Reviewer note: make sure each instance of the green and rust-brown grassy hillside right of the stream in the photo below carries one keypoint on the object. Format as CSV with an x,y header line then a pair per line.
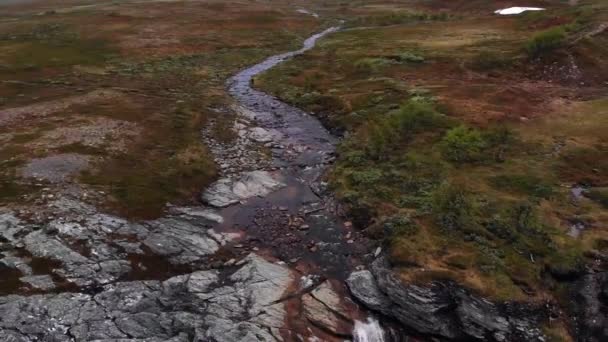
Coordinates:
x,y
467,136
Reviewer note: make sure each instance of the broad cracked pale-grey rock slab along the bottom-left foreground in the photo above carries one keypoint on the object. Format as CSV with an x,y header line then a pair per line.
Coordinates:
x,y
202,306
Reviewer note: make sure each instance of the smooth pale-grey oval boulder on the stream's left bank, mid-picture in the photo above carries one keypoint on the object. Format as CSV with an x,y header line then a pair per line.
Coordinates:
x,y
230,191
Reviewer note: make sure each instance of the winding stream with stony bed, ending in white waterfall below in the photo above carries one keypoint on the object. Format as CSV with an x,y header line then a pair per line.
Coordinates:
x,y
327,248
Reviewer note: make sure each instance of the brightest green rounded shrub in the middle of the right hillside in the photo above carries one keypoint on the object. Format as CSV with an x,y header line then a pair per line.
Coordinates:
x,y
462,144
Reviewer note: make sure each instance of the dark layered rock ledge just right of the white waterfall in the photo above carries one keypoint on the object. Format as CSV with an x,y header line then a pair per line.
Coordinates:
x,y
440,309
